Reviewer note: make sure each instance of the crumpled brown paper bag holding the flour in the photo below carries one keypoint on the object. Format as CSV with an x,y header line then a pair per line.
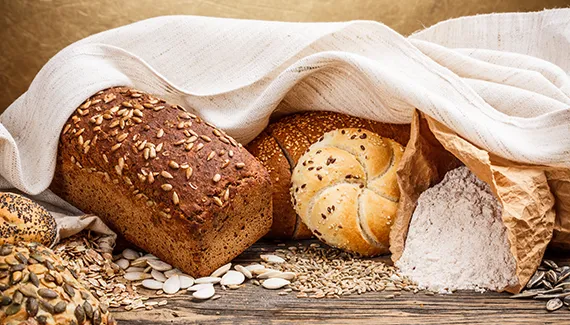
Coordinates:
x,y
530,195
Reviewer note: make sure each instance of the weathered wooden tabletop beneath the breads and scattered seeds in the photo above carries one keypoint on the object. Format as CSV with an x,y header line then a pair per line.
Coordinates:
x,y
255,305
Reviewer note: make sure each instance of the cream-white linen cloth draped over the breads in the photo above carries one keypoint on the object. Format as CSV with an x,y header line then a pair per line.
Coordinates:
x,y
500,80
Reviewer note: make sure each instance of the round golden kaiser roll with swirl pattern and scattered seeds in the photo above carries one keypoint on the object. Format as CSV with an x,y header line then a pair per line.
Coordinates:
x,y
345,190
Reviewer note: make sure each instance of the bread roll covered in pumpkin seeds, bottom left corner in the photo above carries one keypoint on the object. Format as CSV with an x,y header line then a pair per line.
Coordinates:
x,y
41,290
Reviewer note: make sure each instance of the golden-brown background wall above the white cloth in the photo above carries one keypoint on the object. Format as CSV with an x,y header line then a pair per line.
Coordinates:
x,y
32,31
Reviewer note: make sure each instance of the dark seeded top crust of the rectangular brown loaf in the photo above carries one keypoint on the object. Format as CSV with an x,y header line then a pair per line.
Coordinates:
x,y
172,159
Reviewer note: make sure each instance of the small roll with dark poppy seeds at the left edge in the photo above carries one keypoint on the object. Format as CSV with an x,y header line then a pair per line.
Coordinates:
x,y
21,219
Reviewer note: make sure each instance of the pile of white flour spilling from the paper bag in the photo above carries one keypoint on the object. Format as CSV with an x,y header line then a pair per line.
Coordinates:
x,y
456,238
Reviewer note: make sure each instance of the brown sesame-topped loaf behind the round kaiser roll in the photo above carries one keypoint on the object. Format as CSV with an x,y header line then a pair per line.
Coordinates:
x,y
282,143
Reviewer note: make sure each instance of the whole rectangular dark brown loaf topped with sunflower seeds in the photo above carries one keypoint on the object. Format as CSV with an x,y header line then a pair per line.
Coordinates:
x,y
169,182
